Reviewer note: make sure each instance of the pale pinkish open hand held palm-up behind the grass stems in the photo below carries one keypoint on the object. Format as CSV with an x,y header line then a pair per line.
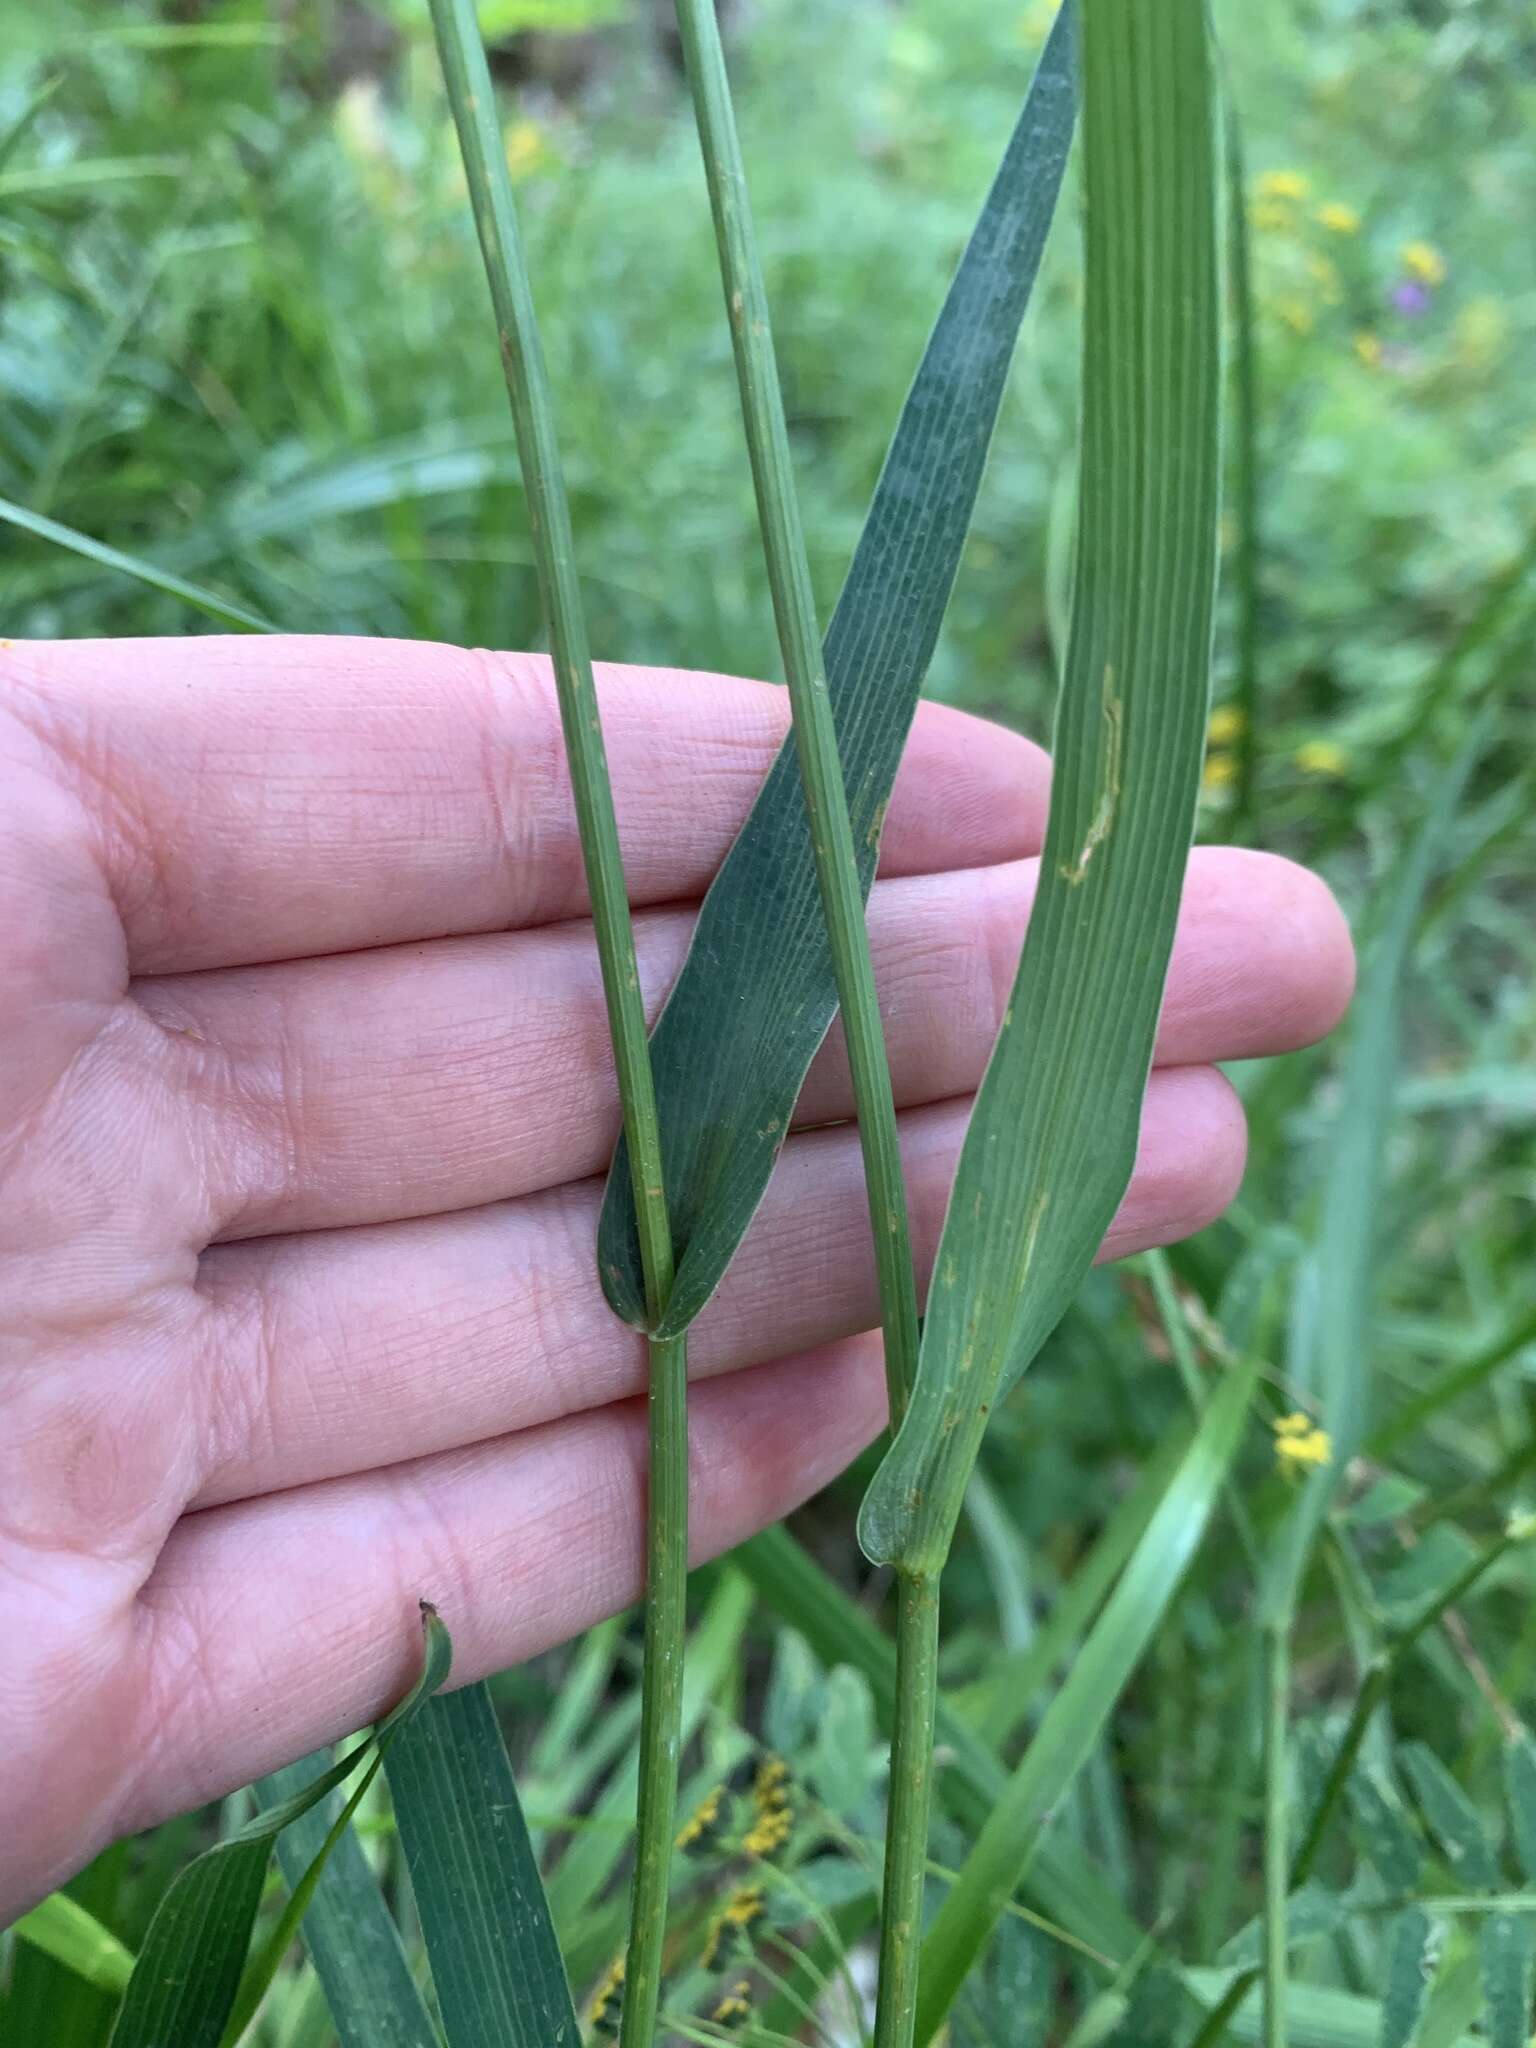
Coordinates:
x,y
304,1113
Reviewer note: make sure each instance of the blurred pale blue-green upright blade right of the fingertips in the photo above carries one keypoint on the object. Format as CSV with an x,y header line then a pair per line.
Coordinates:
x,y
1332,1363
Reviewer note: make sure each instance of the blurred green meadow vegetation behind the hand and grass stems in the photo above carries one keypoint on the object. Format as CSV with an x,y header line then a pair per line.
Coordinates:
x,y
243,335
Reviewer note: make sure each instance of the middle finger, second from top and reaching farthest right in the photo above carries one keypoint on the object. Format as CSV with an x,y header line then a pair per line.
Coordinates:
x,y
417,1080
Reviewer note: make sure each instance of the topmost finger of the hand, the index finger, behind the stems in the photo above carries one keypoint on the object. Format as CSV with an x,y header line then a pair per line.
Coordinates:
x,y
265,800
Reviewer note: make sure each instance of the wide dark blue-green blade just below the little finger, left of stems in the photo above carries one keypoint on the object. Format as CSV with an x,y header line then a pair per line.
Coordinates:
x,y
490,1940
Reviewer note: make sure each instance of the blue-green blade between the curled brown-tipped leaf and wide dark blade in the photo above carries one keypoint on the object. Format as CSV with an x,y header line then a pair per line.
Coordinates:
x,y
347,1930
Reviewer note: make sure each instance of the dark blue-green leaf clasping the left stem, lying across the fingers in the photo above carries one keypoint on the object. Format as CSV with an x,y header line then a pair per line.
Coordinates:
x,y
757,994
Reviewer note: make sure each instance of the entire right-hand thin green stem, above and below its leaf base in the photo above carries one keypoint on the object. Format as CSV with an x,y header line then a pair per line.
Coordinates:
x,y
843,906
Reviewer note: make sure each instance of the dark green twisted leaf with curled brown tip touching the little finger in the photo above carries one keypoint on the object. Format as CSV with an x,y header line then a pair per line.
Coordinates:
x,y
194,1959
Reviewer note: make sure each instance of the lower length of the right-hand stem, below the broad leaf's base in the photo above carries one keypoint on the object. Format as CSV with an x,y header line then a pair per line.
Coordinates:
x,y
906,1830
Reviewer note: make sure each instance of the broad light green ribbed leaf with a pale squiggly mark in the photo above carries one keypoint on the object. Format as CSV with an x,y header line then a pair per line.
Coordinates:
x,y
1054,1132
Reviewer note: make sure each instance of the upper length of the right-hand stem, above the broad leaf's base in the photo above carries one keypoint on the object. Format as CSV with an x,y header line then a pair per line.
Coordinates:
x,y
816,740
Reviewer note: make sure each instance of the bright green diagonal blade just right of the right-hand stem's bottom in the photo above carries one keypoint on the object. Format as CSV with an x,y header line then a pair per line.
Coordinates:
x,y
1084,1705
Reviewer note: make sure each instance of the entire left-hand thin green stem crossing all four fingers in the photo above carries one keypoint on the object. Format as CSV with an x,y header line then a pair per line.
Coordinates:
x,y
667,1560
